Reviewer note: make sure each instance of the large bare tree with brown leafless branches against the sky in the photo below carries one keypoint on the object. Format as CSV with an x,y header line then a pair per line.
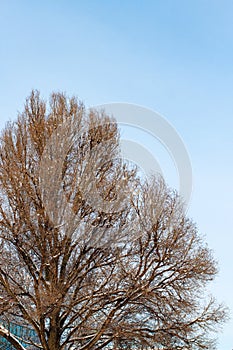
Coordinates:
x,y
92,256
